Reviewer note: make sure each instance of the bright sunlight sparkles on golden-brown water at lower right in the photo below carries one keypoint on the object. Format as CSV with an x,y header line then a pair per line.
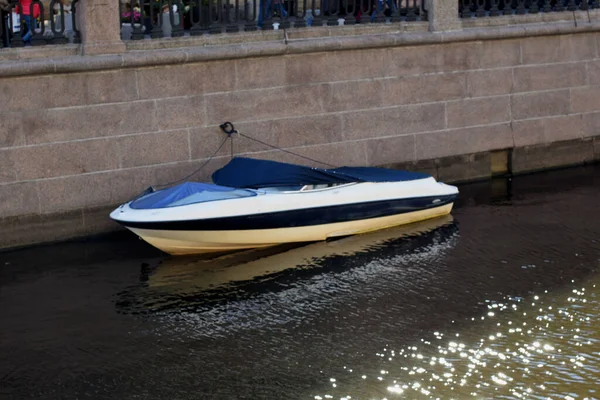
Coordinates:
x,y
479,365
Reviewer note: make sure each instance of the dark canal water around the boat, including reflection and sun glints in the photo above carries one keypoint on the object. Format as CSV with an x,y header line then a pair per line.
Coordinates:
x,y
499,301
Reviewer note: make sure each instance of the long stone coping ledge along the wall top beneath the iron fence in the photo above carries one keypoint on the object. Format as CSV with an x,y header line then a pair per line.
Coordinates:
x,y
278,44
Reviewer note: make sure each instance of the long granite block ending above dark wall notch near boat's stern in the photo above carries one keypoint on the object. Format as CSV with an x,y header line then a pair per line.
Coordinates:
x,y
463,141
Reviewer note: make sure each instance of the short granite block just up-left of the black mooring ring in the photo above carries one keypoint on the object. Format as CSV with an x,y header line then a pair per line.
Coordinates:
x,y
180,112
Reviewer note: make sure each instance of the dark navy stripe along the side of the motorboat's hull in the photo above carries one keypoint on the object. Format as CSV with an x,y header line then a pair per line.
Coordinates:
x,y
302,217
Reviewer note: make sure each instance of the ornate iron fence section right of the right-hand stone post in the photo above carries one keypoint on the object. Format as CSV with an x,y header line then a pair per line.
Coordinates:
x,y
494,8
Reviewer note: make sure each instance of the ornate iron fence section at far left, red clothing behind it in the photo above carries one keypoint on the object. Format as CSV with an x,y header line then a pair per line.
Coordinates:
x,y
43,22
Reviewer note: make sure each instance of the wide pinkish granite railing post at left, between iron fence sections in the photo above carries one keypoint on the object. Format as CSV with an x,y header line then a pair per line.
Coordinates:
x,y
100,31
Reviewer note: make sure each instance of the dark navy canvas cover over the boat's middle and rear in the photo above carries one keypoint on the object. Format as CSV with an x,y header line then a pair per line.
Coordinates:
x,y
243,172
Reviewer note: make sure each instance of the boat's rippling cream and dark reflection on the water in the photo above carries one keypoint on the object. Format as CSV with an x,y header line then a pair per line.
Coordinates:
x,y
196,285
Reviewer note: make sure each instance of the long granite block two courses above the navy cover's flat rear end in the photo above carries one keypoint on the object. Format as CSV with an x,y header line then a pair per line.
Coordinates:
x,y
394,121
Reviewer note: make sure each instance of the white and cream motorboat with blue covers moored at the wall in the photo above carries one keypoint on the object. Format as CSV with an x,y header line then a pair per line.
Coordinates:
x,y
256,203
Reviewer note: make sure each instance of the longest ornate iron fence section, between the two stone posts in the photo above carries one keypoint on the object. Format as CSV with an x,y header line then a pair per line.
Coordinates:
x,y
172,18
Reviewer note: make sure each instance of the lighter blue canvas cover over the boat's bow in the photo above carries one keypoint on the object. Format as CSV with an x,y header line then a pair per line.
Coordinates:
x,y
188,193
